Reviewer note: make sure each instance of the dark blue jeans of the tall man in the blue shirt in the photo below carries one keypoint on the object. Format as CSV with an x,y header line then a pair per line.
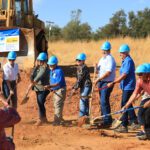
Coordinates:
x,y
131,114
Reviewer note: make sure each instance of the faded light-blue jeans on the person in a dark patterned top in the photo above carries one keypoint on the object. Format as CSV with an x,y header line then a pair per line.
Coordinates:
x,y
84,102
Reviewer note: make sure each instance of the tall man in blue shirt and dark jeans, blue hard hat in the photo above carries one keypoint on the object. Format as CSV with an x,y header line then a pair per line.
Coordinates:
x,y
127,82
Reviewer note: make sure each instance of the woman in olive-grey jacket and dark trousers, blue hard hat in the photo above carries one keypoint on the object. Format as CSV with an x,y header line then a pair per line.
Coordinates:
x,y
40,78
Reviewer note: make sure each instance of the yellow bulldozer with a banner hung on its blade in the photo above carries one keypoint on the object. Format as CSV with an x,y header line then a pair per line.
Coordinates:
x,y
21,31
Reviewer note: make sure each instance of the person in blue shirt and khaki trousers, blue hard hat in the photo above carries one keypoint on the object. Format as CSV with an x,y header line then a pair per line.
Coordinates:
x,y
58,87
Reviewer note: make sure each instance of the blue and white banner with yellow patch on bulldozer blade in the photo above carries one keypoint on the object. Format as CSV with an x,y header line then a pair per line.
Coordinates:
x,y
9,40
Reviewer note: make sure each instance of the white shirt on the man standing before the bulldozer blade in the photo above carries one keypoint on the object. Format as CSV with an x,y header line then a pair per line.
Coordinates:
x,y
10,73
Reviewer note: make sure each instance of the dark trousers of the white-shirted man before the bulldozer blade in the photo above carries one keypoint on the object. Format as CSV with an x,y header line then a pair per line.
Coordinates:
x,y
6,92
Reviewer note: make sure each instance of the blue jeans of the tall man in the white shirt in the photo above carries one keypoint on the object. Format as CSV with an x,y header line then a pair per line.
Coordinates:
x,y
104,101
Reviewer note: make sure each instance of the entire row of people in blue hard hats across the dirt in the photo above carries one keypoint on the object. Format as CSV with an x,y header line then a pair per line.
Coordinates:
x,y
48,77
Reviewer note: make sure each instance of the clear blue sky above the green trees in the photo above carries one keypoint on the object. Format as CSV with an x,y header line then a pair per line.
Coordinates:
x,y
95,12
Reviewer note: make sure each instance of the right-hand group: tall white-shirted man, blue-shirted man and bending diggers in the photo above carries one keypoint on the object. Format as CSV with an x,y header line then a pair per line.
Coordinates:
x,y
131,89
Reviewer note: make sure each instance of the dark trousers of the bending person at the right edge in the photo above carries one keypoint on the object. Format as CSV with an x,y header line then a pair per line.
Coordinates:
x,y
141,112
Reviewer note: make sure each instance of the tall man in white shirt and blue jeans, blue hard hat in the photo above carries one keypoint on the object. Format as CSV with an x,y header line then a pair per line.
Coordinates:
x,y
106,69
